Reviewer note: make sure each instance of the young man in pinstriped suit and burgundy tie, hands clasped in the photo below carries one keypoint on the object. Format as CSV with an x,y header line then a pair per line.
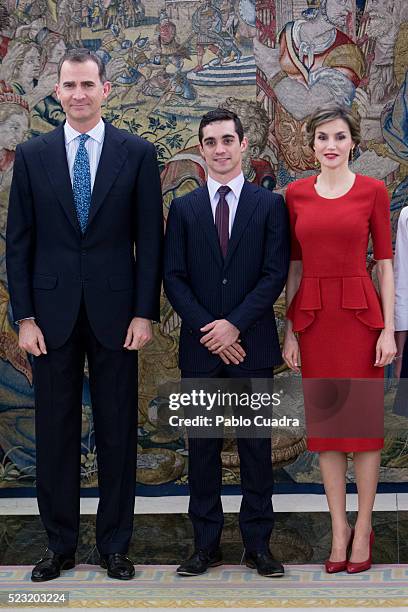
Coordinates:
x,y
226,262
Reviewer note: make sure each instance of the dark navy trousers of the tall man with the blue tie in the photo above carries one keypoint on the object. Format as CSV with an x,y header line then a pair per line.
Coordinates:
x,y
58,383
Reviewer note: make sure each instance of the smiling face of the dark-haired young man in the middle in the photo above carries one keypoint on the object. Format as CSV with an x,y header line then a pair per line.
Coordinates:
x,y
222,150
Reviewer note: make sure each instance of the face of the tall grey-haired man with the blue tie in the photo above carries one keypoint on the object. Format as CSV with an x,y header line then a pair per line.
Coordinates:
x,y
81,92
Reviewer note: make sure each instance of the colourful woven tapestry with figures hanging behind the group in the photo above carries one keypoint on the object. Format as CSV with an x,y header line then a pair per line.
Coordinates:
x,y
170,61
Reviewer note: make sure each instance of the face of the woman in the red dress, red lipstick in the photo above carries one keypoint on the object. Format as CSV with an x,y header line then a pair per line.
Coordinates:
x,y
333,143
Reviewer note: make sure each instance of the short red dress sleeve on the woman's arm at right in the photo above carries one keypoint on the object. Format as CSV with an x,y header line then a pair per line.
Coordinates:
x,y
380,224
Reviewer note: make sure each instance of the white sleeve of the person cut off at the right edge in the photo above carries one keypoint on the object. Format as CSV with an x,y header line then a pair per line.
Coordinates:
x,y
401,272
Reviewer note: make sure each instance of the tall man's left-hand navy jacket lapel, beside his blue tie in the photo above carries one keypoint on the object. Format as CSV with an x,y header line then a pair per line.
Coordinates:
x,y
53,156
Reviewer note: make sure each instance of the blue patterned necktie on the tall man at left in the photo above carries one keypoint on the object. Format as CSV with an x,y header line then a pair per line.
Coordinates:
x,y
82,183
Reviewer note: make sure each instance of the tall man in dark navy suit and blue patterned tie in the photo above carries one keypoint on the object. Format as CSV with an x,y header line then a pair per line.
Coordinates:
x,y
82,198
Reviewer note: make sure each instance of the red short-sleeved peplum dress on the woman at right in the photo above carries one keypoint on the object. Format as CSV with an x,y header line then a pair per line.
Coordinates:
x,y
337,311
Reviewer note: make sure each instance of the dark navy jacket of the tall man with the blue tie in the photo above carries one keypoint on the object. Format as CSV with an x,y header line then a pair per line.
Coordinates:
x,y
51,265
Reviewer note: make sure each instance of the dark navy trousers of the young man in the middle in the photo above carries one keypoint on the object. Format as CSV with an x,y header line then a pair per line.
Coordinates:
x,y
256,516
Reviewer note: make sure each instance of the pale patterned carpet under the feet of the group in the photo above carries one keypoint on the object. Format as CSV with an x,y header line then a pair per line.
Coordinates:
x,y
306,586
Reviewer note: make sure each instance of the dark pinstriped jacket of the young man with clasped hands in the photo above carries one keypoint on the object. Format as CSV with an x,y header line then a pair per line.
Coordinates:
x,y
201,286
